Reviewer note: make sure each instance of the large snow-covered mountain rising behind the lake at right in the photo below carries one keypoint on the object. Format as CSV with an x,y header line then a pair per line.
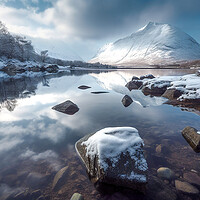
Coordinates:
x,y
153,44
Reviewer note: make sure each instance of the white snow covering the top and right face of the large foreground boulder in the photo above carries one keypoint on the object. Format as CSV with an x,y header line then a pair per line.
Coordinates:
x,y
111,143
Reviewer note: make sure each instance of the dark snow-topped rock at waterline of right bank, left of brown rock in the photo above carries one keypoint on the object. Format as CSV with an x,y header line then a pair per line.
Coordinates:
x,y
154,90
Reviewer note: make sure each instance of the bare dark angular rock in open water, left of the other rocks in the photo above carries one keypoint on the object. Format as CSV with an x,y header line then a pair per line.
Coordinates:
x,y
67,107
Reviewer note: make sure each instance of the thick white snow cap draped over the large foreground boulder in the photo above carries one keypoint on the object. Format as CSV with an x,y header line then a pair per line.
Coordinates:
x,y
109,143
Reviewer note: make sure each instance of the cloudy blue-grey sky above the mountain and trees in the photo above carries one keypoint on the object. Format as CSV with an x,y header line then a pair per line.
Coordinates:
x,y
81,27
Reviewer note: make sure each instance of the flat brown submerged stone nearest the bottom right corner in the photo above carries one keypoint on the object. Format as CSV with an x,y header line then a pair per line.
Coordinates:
x,y
186,187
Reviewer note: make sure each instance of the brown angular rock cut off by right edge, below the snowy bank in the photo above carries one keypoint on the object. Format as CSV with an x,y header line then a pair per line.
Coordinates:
x,y
192,136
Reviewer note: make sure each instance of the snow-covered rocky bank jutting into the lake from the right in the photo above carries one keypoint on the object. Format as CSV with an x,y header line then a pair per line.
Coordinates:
x,y
180,90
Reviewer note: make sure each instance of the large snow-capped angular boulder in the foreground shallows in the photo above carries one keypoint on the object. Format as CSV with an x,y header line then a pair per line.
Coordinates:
x,y
115,156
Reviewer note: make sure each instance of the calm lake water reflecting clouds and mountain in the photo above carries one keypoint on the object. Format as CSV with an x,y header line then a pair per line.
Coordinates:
x,y
36,141
